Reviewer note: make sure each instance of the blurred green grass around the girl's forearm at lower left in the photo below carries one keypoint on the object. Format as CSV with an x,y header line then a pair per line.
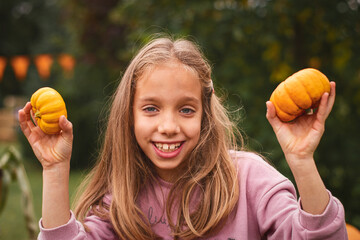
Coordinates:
x,y
12,223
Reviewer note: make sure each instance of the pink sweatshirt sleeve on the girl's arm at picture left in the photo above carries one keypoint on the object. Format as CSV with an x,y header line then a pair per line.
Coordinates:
x,y
74,230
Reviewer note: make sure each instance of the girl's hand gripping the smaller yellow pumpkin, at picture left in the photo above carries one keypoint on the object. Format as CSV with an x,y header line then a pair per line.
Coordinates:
x,y
50,150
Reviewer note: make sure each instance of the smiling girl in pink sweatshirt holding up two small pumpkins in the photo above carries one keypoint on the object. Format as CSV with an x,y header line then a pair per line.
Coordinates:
x,y
169,167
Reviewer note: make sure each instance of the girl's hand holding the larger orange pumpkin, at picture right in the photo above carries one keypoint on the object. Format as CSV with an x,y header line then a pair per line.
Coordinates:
x,y
300,138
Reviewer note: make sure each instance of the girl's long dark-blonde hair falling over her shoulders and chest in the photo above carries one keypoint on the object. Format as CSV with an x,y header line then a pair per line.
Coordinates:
x,y
123,169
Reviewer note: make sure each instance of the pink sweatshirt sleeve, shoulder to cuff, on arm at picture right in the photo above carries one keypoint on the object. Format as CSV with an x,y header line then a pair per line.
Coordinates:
x,y
272,200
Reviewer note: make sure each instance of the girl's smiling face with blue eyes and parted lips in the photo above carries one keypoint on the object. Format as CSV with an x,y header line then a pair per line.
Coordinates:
x,y
167,116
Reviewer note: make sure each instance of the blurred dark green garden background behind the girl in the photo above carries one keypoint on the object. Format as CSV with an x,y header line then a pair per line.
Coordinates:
x,y
252,45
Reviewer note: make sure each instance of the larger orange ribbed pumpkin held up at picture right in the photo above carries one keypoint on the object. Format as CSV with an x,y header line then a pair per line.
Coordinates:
x,y
299,92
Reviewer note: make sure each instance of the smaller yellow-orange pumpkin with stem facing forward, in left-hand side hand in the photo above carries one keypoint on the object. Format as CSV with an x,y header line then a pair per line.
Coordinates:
x,y
47,106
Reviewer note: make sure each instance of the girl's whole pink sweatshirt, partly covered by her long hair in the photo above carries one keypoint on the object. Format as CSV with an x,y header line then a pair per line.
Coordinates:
x,y
267,209
